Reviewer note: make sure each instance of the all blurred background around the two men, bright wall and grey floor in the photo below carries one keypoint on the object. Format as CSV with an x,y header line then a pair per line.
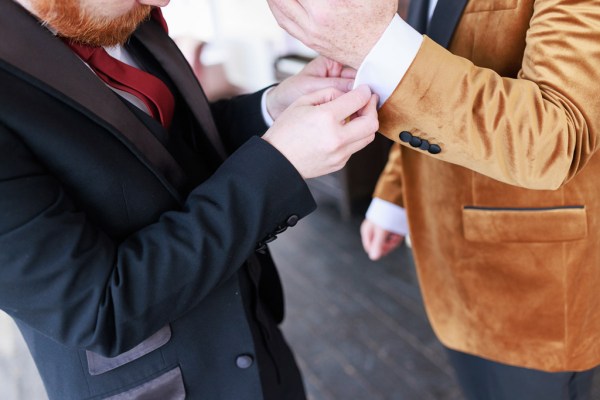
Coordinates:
x,y
358,328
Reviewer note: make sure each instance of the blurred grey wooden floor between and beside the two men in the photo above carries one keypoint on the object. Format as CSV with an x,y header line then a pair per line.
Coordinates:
x,y
357,327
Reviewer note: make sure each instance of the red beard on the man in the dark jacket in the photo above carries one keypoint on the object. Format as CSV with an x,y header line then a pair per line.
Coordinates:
x,y
73,22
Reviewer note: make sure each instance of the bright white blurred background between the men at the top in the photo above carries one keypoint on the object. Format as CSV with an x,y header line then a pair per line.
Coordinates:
x,y
235,42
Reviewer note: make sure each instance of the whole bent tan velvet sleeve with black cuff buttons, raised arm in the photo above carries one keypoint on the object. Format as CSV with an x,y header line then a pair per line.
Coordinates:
x,y
536,131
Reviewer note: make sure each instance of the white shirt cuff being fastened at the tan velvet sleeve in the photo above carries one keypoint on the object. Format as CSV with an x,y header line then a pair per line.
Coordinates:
x,y
387,62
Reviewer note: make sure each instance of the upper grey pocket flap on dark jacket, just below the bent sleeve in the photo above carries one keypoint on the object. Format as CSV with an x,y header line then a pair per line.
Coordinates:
x,y
98,364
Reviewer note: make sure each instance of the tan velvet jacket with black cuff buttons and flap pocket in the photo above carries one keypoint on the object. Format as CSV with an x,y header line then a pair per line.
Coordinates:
x,y
505,220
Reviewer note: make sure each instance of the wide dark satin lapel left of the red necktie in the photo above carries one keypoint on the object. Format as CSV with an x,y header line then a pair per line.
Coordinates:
x,y
35,51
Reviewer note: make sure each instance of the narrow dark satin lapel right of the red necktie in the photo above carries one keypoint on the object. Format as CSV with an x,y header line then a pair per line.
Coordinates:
x,y
152,36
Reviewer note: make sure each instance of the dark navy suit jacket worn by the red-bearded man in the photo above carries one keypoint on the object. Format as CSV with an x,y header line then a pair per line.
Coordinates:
x,y
119,276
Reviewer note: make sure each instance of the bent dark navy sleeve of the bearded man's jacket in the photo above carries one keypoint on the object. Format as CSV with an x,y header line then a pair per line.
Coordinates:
x,y
69,280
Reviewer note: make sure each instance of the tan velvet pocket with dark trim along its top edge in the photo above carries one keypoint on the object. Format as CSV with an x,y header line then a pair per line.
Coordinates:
x,y
528,225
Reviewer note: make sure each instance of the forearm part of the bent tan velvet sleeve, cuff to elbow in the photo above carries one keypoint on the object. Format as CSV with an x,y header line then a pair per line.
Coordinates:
x,y
512,130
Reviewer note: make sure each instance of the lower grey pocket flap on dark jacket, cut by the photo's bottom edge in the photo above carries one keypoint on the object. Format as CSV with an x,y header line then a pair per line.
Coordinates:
x,y
168,386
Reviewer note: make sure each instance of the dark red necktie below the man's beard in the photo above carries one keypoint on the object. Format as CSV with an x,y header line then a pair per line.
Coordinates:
x,y
149,89
